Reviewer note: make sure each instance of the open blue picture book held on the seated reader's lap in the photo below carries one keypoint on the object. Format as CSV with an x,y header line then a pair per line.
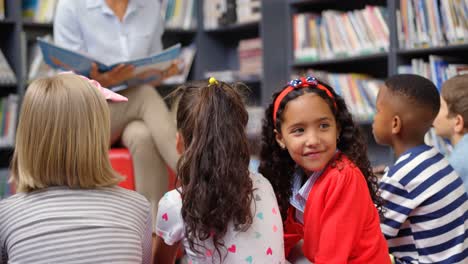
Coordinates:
x,y
147,70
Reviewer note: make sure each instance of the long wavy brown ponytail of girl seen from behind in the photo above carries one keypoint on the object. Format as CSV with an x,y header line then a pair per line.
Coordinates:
x,y
216,188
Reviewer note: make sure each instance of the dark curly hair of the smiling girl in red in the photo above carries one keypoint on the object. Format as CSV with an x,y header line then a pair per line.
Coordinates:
x,y
278,167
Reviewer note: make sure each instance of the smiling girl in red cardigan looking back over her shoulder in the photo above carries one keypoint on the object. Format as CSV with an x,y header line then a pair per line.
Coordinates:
x,y
316,160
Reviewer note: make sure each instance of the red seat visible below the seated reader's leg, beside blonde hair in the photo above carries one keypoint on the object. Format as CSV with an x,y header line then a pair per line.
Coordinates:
x,y
121,161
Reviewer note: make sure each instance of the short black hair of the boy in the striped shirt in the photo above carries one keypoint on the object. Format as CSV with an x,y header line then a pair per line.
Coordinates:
x,y
417,89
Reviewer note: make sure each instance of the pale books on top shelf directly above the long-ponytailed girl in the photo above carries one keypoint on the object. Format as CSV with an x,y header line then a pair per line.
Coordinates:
x,y
220,13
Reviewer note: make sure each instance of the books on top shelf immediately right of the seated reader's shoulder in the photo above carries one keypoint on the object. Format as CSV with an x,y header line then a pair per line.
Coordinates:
x,y
180,14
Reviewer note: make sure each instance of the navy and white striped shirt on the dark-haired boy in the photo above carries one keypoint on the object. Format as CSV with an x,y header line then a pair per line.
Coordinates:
x,y
426,209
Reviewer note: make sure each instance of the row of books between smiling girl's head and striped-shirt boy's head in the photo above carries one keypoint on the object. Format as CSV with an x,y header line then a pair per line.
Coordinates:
x,y
359,91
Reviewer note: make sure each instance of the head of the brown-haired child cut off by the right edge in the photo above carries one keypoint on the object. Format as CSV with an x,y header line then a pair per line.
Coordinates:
x,y
452,120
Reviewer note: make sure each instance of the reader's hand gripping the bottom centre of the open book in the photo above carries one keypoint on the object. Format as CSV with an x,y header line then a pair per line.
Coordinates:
x,y
113,77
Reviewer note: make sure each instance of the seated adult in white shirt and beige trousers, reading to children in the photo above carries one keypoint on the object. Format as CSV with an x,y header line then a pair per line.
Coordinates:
x,y
118,30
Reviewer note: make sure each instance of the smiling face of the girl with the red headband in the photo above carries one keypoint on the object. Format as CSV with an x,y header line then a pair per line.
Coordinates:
x,y
309,132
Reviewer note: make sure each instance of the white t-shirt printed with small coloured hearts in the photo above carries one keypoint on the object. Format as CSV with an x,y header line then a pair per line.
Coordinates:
x,y
261,243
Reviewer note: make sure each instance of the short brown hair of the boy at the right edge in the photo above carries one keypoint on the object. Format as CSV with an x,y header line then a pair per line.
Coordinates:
x,y
455,93
